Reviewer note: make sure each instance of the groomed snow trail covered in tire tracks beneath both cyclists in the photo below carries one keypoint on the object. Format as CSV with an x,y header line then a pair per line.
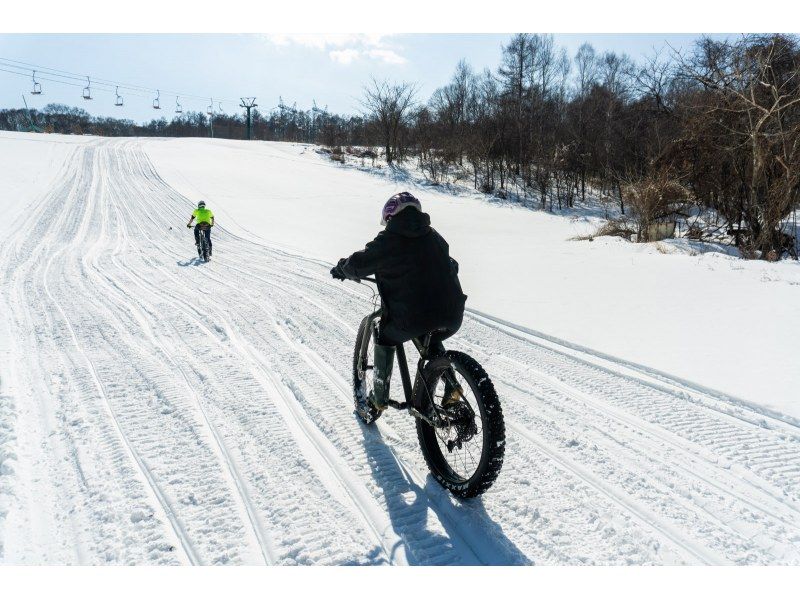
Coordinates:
x,y
155,410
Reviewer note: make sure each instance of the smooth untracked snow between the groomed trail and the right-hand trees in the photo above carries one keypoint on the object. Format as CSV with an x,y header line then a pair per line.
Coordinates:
x,y
722,322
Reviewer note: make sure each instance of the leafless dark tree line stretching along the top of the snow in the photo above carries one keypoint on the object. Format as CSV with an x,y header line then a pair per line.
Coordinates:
x,y
711,131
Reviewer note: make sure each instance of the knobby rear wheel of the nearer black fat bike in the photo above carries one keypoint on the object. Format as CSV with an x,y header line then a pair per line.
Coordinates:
x,y
466,456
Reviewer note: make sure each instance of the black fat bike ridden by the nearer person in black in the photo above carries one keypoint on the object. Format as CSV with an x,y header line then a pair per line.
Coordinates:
x,y
459,421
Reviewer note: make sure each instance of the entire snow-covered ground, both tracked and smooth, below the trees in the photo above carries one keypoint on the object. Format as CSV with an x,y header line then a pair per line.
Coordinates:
x,y
154,410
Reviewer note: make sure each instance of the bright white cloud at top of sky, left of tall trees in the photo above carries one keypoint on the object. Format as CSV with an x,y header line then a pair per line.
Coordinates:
x,y
344,48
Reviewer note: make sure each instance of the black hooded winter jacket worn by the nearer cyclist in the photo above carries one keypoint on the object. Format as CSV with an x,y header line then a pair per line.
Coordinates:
x,y
417,278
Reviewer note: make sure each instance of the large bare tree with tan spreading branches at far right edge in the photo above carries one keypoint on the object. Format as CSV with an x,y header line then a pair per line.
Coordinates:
x,y
747,104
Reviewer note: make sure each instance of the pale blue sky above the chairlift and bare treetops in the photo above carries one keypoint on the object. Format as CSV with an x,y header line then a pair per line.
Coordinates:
x,y
329,68
